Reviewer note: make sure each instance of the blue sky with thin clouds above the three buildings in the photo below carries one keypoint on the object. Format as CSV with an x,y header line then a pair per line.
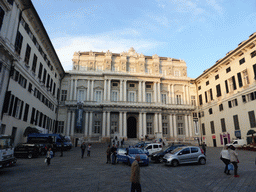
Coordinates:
x,y
200,32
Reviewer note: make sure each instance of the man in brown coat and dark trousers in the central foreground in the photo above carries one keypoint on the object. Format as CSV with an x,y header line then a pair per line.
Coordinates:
x,y
135,175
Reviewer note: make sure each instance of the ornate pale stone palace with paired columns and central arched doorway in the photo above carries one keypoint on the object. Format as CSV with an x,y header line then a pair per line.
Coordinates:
x,y
128,95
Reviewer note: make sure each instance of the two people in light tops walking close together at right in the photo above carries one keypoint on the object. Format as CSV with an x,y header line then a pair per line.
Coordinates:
x,y
229,155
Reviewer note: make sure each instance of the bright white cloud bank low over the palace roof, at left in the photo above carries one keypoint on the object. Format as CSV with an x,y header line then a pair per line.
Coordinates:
x,y
66,45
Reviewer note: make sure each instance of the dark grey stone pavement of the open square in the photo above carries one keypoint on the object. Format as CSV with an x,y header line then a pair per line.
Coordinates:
x,y
71,173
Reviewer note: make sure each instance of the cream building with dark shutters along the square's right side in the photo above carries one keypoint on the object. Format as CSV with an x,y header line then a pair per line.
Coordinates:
x,y
227,96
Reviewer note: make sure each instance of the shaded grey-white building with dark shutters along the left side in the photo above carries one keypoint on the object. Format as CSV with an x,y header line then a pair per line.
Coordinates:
x,y
30,71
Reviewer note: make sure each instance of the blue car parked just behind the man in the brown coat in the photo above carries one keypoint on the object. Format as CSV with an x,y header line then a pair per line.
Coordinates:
x,y
127,155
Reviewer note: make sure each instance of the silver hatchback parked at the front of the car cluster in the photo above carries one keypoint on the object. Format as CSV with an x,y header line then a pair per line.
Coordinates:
x,y
183,155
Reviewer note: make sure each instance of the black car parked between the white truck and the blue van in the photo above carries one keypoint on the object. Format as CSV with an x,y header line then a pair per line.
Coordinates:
x,y
27,150
